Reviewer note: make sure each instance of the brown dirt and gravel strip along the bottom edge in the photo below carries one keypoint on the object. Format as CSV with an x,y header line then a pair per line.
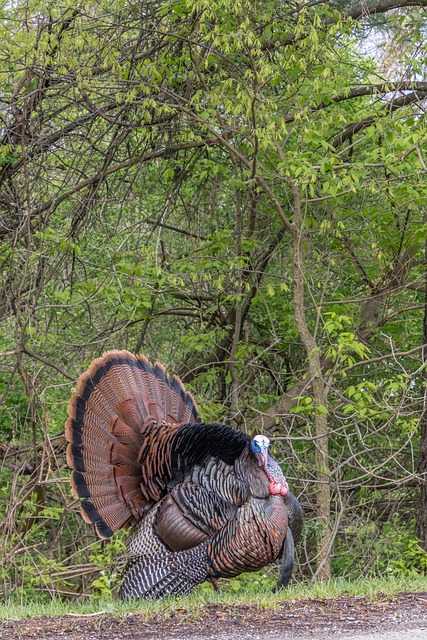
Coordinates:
x,y
306,619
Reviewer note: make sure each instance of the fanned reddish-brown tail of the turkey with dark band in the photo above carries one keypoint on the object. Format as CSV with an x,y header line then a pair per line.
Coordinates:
x,y
119,402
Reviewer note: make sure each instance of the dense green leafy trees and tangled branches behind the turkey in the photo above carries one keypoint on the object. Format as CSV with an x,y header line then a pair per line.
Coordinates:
x,y
236,190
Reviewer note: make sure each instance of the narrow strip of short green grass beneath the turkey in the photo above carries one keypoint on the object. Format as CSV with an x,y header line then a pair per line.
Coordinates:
x,y
194,603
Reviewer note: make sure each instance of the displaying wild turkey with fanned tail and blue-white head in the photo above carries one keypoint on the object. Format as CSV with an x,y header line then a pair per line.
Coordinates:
x,y
204,500
